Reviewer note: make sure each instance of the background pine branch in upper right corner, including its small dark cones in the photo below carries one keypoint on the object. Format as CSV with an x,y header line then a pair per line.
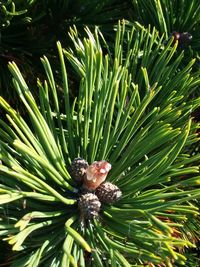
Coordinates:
x,y
172,18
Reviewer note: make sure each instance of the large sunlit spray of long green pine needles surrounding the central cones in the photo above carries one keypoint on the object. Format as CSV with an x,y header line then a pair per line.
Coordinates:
x,y
132,110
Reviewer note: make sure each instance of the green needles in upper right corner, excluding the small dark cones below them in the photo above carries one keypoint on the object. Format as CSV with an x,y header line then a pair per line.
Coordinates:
x,y
168,16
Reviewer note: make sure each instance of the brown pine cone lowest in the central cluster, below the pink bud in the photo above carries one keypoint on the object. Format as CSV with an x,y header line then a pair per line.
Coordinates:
x,y
89,206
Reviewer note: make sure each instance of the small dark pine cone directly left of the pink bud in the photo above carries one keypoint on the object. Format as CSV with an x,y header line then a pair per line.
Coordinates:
x,y
78,169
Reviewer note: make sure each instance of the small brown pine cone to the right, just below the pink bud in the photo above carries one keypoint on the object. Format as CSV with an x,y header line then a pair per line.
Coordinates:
x,y
108,192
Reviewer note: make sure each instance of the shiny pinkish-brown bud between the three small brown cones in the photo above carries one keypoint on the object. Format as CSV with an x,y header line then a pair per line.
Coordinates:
x,y
96,174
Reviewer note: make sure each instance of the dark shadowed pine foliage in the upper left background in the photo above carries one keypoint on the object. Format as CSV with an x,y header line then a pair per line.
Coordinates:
x,y
29,29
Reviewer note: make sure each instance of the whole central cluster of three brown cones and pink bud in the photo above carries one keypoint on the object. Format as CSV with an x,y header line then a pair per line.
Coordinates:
x,y
93,186
